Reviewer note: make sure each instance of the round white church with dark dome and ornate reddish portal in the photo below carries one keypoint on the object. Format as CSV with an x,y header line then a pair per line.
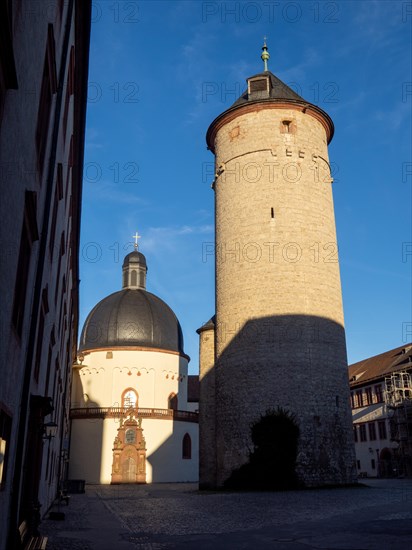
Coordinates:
x,y
130,417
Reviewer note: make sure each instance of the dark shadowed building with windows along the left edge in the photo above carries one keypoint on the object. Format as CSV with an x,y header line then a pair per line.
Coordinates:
x,y
42,126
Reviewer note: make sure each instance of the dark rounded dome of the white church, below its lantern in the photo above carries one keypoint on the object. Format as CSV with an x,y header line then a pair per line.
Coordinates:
x,y
132,317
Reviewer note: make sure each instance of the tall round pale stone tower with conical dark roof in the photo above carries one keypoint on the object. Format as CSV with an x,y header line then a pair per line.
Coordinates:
x,y
279,332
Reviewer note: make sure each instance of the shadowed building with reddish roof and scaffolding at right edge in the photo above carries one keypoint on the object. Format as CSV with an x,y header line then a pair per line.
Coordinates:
x,y
381,400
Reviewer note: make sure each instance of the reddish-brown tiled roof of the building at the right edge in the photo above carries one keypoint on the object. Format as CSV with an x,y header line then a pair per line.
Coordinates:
x,y
380,365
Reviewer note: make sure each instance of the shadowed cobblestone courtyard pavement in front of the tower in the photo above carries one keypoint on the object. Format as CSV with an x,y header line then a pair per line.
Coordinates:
x,y
376,515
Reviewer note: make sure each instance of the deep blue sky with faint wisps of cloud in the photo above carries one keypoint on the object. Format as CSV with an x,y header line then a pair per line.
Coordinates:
x,y
160,72
